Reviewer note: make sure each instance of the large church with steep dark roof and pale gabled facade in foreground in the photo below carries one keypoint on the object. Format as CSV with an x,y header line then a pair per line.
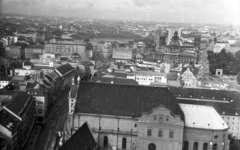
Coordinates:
x,y
142,118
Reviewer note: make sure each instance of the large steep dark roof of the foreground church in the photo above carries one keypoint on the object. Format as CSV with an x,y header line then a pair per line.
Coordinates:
x,y
123,100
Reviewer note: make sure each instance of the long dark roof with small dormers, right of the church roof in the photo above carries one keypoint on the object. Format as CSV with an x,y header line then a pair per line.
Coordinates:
x,y
225,102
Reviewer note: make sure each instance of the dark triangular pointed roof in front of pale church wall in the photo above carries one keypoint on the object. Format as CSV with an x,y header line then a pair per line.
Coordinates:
x,y
82,139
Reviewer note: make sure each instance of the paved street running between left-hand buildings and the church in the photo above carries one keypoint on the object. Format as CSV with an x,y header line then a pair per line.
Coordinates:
x,y
55,122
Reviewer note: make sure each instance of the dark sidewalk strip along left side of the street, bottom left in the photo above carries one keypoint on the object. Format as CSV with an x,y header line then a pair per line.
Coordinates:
x,y
33,138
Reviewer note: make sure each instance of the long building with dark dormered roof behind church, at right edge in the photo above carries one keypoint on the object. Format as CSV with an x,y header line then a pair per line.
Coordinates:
x,y
226,104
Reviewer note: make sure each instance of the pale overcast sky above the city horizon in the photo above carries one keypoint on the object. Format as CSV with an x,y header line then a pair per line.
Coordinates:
x,y
189,11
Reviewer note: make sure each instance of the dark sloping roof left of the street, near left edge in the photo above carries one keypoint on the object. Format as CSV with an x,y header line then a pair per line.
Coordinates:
x,y
19,102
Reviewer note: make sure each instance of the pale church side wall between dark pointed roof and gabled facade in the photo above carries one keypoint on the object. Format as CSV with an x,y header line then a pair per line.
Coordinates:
x,y
109,127
